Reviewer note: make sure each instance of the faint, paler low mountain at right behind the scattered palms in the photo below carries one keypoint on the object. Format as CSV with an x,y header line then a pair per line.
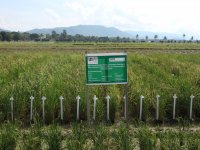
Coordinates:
x,y
143,34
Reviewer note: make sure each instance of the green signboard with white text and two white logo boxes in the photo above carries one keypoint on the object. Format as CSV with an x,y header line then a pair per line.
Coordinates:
x,y
106,68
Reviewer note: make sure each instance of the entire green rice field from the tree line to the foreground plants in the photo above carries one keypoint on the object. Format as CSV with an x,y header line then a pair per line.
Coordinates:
x,y
55,69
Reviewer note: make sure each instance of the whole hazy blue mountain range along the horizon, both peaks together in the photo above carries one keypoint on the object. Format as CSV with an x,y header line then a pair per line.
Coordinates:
x,y
100,31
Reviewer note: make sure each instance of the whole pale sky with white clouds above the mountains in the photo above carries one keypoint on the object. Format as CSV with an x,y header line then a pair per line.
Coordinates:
x,y
173,16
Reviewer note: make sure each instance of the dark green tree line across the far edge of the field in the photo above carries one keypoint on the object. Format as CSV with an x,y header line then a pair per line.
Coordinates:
x,y
54,36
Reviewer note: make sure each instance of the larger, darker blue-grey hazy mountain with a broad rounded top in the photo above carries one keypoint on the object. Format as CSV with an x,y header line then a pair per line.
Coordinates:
x,y
87,30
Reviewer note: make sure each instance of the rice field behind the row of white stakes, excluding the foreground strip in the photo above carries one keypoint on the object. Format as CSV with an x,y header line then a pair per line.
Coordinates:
x,y
55,69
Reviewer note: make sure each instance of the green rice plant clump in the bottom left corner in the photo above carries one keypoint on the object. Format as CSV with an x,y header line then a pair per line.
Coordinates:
x,y
8,136
